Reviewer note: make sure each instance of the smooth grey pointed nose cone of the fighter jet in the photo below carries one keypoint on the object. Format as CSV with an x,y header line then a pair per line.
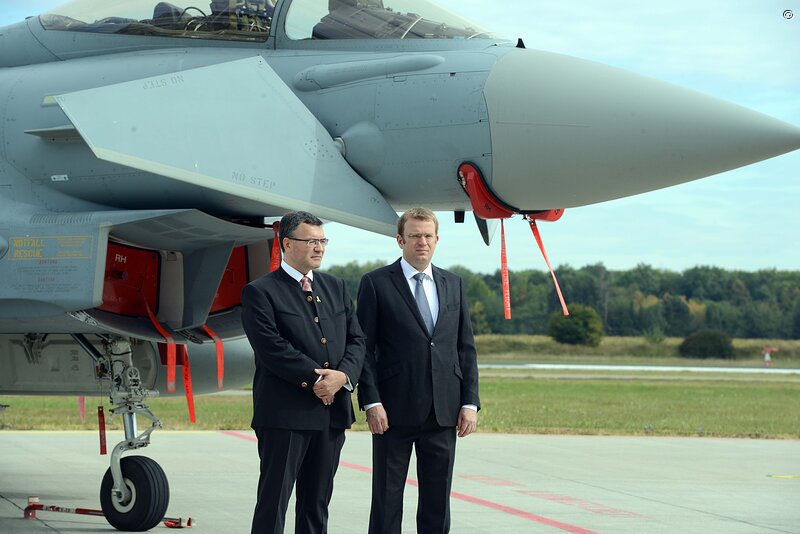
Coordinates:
x,y
568,132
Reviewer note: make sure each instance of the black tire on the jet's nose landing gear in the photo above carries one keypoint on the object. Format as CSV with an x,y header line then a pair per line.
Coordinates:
x,y
149,495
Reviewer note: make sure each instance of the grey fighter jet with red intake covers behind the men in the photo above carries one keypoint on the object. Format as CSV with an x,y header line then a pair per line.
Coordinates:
x,y
146,145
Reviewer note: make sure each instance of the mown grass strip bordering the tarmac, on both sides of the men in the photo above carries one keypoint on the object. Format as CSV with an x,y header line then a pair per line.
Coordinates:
x,y
659,406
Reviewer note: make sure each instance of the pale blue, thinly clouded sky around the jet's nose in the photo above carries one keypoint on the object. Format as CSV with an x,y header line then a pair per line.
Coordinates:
x,y
747,52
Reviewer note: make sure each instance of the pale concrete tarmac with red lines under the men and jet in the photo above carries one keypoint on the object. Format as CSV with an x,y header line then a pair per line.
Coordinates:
x,y
502,483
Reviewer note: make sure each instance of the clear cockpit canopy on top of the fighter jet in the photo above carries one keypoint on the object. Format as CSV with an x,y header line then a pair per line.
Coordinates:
x,y
251,20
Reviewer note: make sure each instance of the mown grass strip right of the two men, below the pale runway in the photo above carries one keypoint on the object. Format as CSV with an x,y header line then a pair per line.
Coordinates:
x,y
641,407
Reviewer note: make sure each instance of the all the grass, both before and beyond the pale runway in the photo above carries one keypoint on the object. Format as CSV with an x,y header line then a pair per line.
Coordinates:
x,y
664,403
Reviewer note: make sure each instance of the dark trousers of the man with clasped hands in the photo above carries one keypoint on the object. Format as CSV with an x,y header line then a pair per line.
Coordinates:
x,y
307,457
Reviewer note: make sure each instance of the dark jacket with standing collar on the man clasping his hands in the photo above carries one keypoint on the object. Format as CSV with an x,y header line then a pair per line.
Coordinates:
x,y
289,343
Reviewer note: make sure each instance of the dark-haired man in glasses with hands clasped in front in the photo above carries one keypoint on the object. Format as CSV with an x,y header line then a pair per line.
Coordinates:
x,y
309,351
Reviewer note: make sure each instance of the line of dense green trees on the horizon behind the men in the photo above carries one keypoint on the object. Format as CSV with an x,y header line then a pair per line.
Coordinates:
x,y
643,301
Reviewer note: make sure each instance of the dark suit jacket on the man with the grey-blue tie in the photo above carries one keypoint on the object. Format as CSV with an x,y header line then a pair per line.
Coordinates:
x,y
405,369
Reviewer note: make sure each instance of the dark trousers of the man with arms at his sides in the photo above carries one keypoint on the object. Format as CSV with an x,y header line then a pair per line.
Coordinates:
x,y
435,447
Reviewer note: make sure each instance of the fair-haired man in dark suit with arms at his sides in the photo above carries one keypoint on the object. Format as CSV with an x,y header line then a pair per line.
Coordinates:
x,y
419,385
